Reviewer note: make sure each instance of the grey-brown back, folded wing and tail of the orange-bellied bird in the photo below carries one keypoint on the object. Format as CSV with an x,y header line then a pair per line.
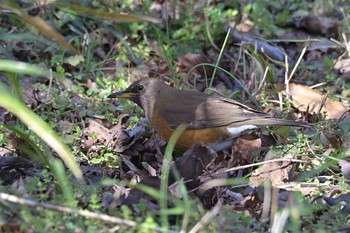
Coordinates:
x,y
202,111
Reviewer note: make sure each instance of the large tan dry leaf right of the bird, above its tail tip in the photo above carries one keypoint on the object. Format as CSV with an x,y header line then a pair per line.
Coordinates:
x,y
306,99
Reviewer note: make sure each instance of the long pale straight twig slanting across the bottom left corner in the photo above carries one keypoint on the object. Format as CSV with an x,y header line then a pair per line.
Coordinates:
x,y
84,213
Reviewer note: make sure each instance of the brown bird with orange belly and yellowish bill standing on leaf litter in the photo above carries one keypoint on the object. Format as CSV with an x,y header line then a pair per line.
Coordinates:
x,y
208,119
